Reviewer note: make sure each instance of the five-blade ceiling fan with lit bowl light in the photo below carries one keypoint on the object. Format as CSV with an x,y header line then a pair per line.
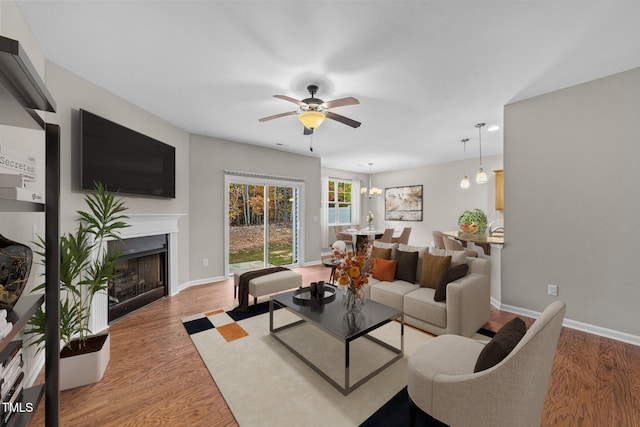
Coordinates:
x,y
315,110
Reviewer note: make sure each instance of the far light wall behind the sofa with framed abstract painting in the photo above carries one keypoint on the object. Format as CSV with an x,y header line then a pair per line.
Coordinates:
x,y
443,199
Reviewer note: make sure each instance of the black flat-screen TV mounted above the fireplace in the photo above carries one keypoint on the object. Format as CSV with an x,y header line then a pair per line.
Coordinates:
x,y
124,160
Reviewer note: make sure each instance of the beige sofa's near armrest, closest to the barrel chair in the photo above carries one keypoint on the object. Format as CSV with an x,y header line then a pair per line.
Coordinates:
x,y
468,304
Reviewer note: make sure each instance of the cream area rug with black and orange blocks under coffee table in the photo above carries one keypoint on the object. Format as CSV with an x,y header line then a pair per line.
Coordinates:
x,y
265,384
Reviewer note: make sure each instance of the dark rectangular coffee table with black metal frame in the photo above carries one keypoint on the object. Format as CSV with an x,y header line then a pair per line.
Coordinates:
x,y
330,318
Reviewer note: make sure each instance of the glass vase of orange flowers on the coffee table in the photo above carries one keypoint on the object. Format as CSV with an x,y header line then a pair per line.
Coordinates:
x,y
352,275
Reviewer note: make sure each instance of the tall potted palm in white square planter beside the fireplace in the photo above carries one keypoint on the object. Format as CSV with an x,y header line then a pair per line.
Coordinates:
x,y
86,268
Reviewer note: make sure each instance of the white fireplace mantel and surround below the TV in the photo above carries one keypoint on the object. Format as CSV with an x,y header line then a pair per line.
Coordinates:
x,y
141,225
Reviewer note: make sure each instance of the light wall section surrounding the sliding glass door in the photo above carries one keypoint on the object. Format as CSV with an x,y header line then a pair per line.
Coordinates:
x,y
210,157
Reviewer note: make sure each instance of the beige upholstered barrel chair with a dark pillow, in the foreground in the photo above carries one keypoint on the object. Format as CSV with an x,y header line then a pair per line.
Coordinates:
x,y
442,383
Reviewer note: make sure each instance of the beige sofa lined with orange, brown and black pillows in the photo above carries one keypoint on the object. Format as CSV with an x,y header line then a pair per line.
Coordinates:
x,y
467,305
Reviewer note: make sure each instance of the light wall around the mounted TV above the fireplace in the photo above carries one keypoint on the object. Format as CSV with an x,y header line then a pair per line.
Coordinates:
x,y
73,93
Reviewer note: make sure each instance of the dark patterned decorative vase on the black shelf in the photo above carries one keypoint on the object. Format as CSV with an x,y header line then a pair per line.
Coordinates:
x,y
15,265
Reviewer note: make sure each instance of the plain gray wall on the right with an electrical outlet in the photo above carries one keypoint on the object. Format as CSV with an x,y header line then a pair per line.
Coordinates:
x,y
572,198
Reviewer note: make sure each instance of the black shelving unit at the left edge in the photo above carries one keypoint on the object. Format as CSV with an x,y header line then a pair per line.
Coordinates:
x,y
22,92
